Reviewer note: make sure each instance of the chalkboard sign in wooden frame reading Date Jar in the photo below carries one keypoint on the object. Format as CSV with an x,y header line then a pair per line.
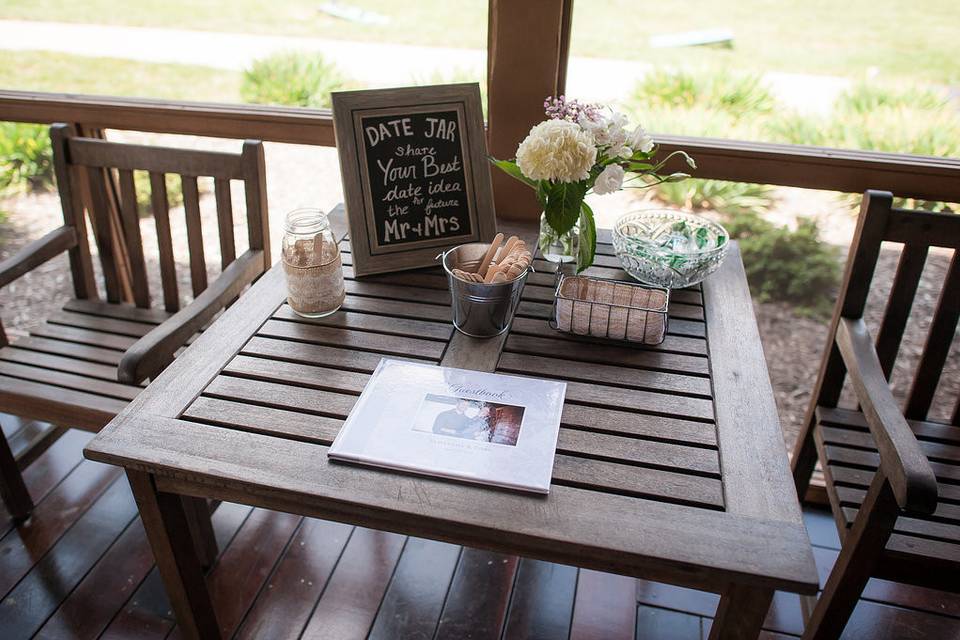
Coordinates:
x,y
415,174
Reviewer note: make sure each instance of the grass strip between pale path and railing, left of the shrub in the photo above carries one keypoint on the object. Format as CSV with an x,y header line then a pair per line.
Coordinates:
x,y
42,71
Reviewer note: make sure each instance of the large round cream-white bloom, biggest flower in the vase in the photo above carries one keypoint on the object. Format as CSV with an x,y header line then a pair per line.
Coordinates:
x,y
557,150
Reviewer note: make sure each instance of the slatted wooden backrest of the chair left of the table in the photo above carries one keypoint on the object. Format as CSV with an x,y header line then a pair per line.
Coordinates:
x,y
92,164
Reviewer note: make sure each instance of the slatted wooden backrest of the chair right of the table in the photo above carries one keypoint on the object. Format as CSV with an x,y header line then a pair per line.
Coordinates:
x,y
918,232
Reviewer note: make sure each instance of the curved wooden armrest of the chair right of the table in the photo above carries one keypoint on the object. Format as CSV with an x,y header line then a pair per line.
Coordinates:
x,y
901,460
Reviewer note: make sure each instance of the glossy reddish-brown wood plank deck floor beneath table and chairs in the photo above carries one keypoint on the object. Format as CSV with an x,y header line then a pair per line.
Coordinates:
x,y
81,568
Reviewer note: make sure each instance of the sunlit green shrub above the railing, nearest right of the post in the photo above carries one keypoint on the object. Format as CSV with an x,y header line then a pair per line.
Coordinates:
x,y
737,94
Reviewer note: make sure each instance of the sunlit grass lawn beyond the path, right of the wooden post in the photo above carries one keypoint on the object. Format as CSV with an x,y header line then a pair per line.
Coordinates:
x,y
915,41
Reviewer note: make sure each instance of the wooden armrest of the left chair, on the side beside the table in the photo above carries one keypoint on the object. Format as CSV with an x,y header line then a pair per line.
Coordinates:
x,y
149,355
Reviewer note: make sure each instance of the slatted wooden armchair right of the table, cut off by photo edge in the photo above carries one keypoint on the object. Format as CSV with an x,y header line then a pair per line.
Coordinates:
x,y
892,475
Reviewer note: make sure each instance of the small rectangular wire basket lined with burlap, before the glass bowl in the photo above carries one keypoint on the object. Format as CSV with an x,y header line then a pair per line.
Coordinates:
x,y
610,309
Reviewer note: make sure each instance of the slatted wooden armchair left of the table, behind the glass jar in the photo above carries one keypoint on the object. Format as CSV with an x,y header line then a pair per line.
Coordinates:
x,y
83,365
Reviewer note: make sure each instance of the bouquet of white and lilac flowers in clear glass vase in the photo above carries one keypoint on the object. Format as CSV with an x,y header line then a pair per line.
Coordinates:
x,y
581,148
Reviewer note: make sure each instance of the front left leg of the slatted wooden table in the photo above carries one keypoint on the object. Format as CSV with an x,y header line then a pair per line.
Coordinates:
x,y
167,525
